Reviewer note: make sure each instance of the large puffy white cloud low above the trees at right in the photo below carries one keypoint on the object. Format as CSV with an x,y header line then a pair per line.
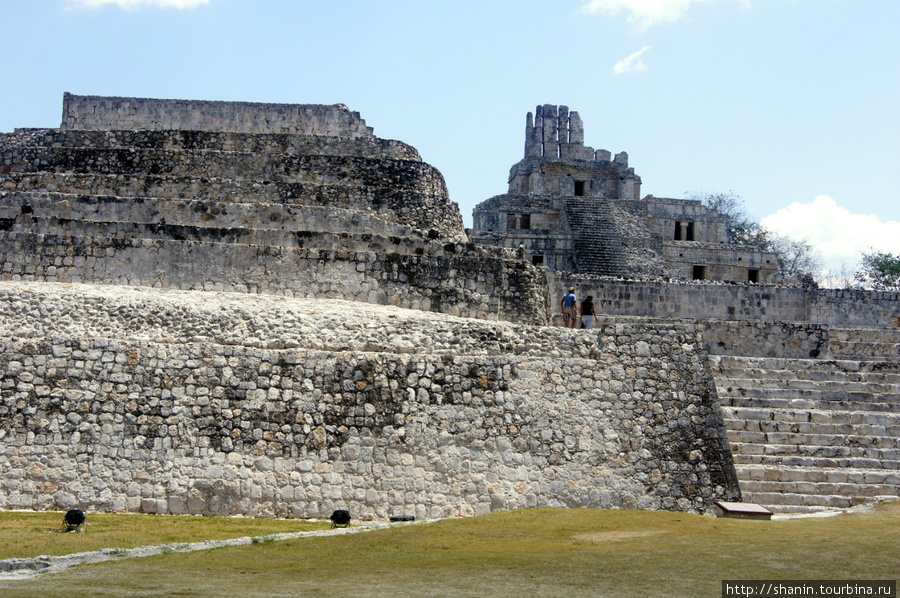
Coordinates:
x,y
840,235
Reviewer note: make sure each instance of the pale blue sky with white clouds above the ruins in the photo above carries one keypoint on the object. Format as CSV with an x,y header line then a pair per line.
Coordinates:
x,y
791,104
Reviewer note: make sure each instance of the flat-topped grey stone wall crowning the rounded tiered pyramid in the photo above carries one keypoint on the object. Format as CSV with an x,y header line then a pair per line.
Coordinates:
x,y
99,112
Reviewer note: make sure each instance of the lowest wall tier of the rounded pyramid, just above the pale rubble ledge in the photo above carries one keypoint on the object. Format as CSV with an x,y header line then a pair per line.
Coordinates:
x,y
453,278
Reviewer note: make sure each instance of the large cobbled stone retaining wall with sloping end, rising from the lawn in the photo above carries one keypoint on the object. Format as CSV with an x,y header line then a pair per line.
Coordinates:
x,y
212,403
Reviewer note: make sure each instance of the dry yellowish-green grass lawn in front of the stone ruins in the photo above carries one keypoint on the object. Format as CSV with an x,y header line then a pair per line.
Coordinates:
x,y
542,552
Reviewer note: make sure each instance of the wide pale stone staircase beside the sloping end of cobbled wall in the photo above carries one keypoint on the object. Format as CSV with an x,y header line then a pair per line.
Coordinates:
x,y
813,434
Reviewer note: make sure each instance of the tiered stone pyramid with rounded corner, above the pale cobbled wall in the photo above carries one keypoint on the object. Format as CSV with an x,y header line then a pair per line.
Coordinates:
x,y
291,199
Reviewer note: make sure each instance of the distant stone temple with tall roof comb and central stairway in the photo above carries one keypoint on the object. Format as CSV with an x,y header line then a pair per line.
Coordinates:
x,y
576,209
